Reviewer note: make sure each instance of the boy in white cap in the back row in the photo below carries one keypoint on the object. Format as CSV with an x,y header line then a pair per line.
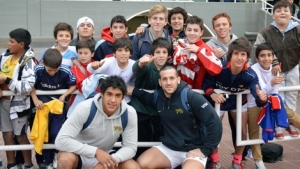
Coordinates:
x,y
85,30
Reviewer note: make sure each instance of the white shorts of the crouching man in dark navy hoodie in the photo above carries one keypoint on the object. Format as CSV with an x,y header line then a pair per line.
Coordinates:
x,y
178,157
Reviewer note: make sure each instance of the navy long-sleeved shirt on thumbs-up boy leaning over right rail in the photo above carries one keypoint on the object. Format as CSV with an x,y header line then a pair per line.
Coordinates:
x,y
246,79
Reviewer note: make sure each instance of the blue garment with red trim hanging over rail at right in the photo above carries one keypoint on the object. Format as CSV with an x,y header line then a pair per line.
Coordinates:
x,y
270,117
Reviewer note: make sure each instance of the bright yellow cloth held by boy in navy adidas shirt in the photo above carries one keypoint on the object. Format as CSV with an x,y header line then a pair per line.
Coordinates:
x,y
39,133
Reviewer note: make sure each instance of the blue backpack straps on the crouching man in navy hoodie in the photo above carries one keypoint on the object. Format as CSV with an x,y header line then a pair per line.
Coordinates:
x,y
188,109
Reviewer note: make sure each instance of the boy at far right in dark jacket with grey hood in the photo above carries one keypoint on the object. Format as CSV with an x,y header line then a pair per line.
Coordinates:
x,y
283,37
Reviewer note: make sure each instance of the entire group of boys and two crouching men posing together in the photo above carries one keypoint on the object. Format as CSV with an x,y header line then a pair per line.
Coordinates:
x,y
169,61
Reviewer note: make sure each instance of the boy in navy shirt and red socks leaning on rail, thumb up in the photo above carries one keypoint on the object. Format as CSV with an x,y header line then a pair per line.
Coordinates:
x,y
235,77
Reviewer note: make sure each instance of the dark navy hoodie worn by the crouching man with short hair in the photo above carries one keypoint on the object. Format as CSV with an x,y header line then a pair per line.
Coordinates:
x,y
179,134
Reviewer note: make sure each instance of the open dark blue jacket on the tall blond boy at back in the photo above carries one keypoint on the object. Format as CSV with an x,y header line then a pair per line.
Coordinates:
x,y
146,45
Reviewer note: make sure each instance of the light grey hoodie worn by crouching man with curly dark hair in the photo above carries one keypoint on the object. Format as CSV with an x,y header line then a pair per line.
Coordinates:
x,y
102,133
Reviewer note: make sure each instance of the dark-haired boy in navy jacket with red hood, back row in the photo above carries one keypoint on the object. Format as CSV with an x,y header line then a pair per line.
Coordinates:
x,y
118,29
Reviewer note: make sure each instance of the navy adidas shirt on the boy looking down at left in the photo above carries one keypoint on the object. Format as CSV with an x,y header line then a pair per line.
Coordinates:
x,y
61,80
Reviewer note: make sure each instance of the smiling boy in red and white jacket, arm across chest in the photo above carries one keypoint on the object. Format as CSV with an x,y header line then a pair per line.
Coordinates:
x,y
192,57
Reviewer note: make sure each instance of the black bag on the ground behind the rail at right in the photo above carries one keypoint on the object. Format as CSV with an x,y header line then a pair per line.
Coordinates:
x,y
271,152
